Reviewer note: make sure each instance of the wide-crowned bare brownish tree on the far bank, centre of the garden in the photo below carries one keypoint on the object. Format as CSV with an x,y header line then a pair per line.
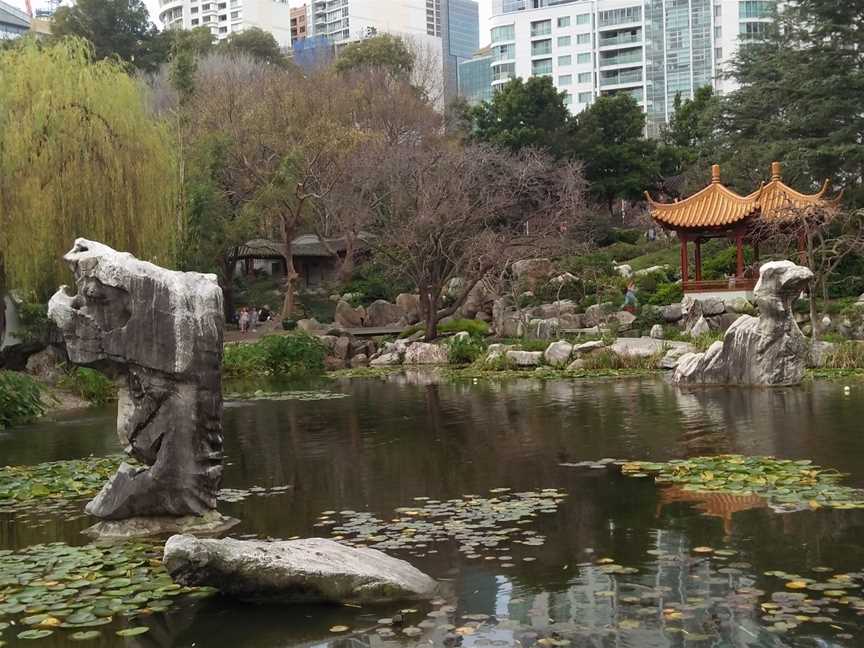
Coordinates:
x,y
443,211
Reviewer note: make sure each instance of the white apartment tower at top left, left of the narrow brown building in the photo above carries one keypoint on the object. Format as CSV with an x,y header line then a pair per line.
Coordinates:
x,y
226,17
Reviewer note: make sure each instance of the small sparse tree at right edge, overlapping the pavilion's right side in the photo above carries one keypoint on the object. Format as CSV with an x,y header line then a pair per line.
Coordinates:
x,y
823,237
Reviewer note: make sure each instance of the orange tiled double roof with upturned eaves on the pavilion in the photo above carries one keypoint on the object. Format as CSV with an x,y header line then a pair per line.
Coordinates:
x,y
717,206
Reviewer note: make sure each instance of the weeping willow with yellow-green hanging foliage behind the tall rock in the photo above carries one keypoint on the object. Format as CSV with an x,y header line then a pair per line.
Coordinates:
x,y
80,155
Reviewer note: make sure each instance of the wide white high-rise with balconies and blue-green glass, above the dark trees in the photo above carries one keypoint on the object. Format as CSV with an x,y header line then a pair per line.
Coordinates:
x,y
652,49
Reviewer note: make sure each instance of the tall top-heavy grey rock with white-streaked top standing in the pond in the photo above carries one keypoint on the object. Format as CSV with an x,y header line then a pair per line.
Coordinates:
x,y
162,332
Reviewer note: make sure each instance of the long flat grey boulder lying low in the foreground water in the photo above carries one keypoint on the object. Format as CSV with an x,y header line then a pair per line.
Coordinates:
x,y
314,570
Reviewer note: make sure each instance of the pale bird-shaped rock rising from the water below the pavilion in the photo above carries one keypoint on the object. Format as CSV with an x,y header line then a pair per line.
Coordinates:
x,y
768,350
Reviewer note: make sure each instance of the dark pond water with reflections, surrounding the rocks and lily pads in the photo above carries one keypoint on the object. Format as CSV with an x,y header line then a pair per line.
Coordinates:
x,y
612,563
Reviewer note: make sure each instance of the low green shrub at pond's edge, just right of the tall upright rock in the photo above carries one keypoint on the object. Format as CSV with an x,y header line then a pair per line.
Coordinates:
x,y
275,355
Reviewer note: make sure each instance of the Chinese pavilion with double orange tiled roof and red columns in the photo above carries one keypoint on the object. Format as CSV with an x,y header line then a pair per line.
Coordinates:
x,y
718,212
